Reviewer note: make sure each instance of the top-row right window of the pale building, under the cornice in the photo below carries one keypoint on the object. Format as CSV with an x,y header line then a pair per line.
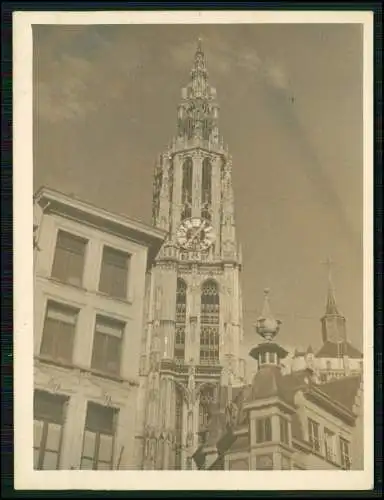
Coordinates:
x,y
114,273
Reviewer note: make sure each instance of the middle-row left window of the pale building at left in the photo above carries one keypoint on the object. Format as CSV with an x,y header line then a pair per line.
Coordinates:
x,y
59,332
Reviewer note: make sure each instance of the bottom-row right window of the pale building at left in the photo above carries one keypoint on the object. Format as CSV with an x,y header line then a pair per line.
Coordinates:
x,y
99,436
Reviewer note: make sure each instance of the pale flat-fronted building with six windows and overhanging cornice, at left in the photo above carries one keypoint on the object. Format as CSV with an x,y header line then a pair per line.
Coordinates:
x,y
90,268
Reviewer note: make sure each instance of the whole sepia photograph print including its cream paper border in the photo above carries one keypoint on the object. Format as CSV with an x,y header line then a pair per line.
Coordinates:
x,y
195,193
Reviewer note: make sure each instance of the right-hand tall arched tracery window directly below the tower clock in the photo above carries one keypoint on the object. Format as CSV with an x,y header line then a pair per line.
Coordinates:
x,y
210,318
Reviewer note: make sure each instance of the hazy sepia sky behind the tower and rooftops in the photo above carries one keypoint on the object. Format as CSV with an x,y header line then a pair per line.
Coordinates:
x,y
290,95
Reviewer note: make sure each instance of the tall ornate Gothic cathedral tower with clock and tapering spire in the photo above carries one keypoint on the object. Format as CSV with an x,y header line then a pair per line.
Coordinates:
x,y
194,310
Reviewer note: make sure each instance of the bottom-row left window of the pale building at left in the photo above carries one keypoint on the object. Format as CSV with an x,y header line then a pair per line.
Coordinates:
x,y
48,423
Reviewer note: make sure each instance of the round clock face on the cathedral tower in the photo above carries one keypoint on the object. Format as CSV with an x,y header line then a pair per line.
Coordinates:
x,y
195,234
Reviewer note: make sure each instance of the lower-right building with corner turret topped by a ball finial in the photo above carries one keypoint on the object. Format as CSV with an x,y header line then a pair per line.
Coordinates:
x,y
284,421
